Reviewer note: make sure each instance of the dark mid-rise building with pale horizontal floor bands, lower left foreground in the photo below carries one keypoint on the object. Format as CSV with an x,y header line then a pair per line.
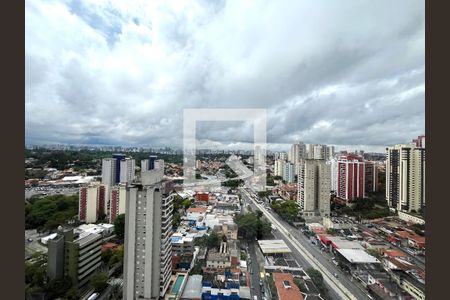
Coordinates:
x,y
76,256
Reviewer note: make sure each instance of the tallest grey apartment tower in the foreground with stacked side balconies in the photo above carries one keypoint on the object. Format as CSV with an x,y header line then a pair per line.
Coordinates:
x,y
148,227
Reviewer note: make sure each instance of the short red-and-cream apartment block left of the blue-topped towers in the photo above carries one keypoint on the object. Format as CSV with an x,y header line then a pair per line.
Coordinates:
x,y
91,203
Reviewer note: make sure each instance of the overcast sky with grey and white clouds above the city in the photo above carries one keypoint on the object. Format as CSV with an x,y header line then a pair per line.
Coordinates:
x,y
348,73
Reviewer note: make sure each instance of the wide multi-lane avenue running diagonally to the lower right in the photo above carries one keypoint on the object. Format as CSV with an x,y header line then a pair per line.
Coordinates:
x,y
343,287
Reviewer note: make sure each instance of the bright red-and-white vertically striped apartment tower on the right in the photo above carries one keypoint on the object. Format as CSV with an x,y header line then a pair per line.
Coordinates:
x,y
350,177
